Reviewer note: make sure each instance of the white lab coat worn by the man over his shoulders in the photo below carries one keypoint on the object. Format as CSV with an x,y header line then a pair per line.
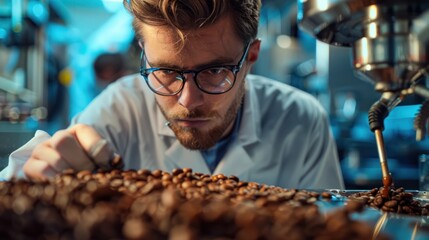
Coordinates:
x,y
284,137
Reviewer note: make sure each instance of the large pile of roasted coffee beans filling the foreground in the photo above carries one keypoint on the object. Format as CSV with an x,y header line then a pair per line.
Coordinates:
x,y
168,205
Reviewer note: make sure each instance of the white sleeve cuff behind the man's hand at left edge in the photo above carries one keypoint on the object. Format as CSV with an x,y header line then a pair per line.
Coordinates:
x,y
19,157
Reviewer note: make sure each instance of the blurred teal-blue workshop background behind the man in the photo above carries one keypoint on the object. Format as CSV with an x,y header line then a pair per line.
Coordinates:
x,y
57,55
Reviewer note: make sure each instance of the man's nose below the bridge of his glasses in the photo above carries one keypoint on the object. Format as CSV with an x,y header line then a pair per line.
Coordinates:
x,y
191,96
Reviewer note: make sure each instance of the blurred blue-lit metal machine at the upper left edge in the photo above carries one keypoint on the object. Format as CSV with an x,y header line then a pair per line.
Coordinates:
x,y
22,66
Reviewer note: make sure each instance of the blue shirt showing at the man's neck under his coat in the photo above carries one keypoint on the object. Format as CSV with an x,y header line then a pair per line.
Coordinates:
x,y
213,155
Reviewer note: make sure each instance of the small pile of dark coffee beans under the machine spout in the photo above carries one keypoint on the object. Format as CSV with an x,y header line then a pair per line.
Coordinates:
x,y
399,201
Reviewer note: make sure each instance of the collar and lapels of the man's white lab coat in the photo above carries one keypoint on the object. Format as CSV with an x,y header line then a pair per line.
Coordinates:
x,y
237,159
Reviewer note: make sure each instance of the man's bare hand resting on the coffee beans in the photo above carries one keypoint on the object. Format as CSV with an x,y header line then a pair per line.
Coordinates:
x,y
69,148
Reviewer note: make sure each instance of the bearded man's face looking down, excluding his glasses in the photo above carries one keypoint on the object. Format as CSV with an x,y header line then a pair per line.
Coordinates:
x,y
198,119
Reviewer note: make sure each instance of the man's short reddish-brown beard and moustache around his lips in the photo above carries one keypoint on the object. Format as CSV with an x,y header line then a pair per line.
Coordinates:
x,y
196,139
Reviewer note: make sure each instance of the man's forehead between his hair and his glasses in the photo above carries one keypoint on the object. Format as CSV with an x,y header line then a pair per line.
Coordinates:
x,y
216,39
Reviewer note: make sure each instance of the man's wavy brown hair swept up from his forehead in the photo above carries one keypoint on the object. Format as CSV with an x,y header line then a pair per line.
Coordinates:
x,y
184,15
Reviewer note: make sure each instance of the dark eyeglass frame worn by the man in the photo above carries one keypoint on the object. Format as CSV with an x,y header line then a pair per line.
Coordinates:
x,y
233,68
